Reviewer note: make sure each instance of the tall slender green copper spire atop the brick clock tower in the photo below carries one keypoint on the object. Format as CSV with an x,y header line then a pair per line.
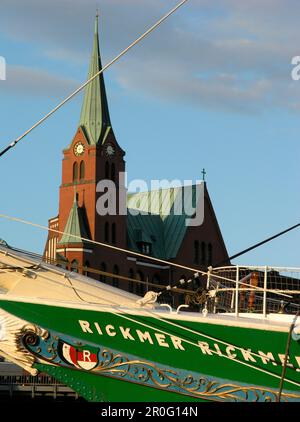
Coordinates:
x,y
94,116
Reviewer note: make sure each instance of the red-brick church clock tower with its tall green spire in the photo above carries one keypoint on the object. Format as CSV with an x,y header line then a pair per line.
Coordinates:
x,y
93,156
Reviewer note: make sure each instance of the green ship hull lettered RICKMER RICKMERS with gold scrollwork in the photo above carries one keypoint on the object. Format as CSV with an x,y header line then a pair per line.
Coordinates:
x,y
139,357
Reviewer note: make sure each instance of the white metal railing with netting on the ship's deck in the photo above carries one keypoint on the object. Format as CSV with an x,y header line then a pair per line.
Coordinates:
x,y
252,289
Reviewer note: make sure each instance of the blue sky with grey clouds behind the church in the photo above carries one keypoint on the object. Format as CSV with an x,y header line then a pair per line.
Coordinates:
x,y
211,88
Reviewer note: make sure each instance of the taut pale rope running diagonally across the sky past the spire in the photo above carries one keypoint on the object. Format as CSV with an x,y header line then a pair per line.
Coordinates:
x,y
144,35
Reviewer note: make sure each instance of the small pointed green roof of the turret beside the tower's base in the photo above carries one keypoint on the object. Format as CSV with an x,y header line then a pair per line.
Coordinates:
x,y
75,226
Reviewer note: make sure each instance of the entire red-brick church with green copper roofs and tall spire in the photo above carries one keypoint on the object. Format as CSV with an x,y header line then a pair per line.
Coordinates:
x,y
151,227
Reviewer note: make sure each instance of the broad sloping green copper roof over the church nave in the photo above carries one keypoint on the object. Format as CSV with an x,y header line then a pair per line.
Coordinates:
x,y
159,219
